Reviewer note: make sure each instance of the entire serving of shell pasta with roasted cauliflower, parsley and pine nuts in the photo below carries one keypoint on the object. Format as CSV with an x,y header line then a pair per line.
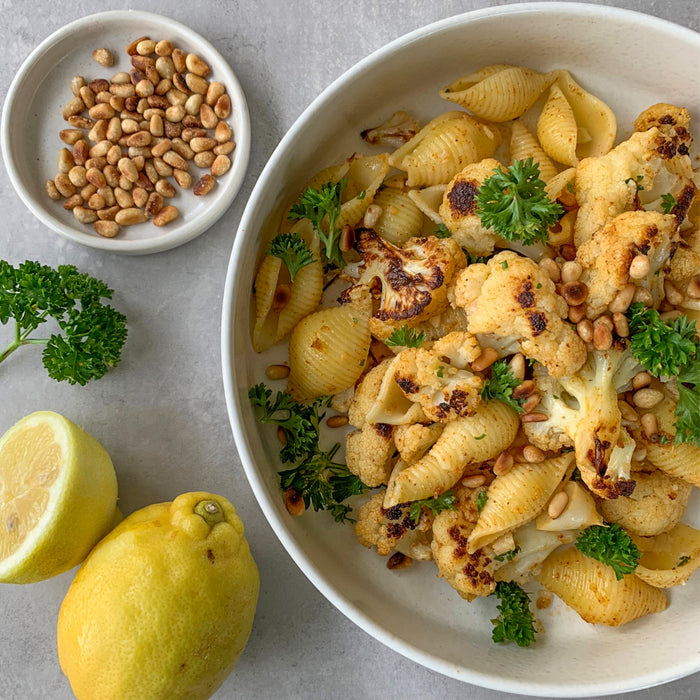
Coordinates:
x,y
466,295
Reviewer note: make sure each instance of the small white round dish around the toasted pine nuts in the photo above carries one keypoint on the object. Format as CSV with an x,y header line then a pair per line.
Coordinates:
x,y
32,119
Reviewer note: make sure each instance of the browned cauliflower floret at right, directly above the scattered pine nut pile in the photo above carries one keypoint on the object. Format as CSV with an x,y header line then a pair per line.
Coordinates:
x,y
606,257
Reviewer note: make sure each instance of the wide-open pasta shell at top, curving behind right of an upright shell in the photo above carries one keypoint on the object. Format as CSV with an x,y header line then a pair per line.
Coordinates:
x,y
593,117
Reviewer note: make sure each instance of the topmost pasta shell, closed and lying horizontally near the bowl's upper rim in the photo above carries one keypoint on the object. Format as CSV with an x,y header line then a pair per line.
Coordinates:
x,y
499,93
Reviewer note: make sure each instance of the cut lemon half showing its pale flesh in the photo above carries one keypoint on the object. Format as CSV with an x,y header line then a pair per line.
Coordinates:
x,y
58,495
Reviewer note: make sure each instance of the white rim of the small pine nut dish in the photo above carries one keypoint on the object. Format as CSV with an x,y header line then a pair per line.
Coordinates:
x,y
167,239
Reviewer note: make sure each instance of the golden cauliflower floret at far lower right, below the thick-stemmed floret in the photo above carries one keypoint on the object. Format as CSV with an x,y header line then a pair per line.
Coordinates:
x,y
656,505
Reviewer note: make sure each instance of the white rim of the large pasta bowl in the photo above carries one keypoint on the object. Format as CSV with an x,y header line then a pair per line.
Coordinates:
x,y
646,678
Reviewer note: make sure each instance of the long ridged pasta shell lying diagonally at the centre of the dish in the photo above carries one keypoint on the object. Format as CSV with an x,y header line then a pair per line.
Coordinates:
x,y
463,441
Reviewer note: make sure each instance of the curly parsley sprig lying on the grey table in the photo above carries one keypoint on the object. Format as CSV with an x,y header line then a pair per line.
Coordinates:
x,y
91,334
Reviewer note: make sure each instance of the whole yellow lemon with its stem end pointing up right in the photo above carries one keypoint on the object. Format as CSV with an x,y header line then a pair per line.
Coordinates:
x,y
163,606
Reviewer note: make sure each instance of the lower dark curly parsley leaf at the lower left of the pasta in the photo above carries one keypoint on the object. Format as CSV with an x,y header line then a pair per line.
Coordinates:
x,y
324,483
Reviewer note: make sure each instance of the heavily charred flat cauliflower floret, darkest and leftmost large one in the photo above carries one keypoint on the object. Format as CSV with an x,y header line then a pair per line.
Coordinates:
x,y
413,279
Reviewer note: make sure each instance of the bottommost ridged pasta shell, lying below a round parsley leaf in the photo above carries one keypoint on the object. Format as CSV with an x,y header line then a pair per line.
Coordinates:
x,y
592,590
